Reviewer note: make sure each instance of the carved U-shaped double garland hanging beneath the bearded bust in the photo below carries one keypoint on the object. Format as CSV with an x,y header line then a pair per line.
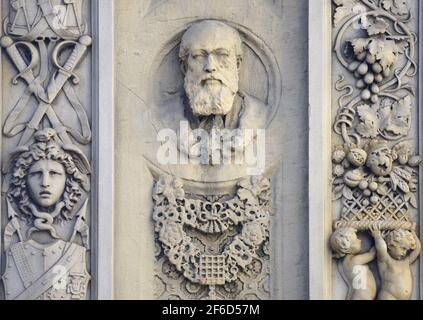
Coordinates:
x,y
174,211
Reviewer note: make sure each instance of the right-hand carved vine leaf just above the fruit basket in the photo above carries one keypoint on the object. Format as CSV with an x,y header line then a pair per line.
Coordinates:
x,y
396,118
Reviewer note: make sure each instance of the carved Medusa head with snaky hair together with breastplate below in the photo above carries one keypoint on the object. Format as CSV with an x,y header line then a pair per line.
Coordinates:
x,y
45,257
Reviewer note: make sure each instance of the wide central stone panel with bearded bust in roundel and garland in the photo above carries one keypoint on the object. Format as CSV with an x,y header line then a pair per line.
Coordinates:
x,y
192,76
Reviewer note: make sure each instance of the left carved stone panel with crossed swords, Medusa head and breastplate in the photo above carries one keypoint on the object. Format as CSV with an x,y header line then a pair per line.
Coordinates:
x,y
46,150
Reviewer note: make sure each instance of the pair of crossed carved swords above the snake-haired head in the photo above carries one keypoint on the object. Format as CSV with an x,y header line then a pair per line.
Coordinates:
x,y
46,97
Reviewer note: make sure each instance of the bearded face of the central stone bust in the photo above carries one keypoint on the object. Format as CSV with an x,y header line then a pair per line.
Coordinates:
x,y
211,70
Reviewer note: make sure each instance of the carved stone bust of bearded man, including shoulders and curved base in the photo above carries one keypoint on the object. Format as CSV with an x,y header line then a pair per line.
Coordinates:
x,y
210,58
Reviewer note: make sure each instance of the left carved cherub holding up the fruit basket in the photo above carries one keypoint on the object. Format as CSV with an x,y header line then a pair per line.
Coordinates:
x,y
355,269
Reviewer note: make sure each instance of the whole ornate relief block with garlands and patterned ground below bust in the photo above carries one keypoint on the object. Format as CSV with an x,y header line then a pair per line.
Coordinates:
x,y
212,247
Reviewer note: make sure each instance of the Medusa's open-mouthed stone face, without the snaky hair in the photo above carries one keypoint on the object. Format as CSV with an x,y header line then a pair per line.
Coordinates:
x,y
46,182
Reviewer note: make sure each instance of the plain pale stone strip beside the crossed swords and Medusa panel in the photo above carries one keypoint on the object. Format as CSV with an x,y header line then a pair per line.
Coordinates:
x,y
105,143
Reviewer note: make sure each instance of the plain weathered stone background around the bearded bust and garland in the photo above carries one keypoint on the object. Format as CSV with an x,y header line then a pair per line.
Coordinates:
x,y
149,96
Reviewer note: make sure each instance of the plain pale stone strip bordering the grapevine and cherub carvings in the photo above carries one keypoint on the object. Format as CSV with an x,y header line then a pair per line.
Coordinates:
x,y
320,132
